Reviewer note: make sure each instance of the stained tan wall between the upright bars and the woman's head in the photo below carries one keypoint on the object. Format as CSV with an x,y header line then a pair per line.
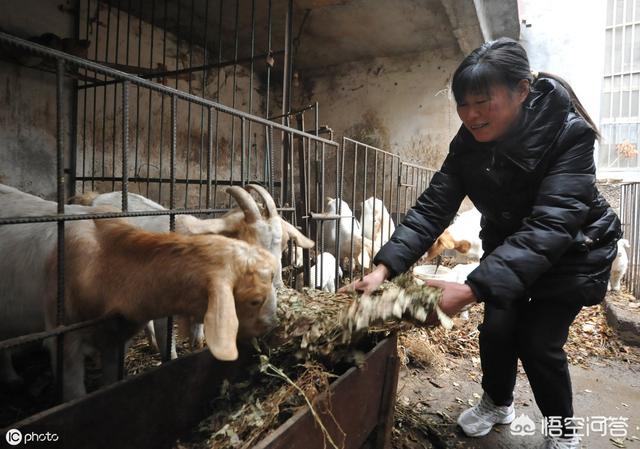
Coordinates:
x,y
399,104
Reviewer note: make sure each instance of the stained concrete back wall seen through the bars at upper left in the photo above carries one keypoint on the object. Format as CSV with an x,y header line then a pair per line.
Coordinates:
x,y
28,109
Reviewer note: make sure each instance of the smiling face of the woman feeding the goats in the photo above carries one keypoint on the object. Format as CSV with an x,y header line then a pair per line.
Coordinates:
x,y
489,116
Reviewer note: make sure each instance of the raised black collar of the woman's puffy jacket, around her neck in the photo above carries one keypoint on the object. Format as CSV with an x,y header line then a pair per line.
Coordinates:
x,y
543,116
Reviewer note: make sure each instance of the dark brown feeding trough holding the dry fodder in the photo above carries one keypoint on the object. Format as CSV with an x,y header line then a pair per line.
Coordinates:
x,y
155,408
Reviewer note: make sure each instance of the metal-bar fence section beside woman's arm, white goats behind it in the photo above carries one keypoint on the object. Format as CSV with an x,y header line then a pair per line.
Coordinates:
x,y
365,182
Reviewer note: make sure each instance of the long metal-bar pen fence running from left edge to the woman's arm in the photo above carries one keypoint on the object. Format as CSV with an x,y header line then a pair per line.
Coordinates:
x,y
145,121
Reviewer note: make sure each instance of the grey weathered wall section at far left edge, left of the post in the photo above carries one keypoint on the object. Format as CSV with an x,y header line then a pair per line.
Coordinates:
x,y
28,102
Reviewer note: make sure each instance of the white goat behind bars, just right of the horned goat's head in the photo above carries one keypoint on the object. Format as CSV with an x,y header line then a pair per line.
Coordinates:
x,y
349,231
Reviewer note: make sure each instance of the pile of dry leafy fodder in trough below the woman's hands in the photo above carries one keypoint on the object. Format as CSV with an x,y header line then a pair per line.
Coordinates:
x,y
319,337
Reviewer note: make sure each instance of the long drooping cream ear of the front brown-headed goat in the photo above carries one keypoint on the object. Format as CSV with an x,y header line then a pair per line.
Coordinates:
x,y
221,322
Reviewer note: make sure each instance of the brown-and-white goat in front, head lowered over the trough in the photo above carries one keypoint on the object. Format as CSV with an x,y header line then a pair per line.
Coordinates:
x,y
115,269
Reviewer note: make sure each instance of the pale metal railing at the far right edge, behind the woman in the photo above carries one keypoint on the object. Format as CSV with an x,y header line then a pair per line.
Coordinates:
x,y
630,217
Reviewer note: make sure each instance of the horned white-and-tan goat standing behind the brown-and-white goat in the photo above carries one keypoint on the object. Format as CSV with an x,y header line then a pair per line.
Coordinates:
x,y
247,223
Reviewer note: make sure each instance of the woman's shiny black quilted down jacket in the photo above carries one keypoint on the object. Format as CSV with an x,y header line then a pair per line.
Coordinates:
x,y
546,230
